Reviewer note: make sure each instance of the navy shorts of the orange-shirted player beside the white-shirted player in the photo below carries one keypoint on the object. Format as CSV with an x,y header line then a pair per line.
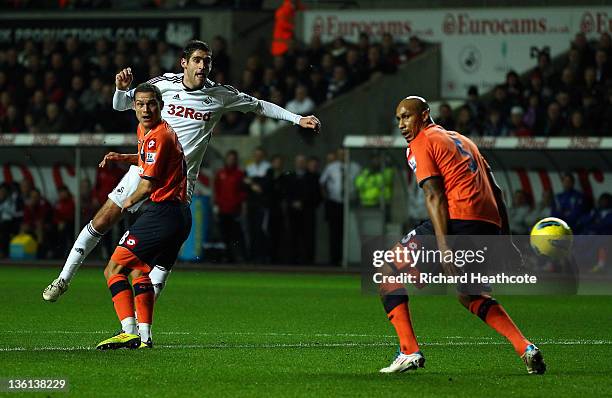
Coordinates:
x,y
155,238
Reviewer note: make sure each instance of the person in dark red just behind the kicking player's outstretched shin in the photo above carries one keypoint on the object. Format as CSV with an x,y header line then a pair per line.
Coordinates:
x,y
63,219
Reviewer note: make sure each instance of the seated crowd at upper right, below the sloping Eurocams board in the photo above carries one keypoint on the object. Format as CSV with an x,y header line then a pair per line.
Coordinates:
x,y
573,98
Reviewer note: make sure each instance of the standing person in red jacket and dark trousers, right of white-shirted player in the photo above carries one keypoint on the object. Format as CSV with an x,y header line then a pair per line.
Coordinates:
x,y
230,196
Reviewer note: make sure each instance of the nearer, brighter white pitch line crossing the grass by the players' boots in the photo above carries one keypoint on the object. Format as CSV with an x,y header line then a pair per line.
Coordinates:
x,y
312,345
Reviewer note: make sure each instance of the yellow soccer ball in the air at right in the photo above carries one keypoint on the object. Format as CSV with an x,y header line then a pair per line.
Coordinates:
x,y
551,237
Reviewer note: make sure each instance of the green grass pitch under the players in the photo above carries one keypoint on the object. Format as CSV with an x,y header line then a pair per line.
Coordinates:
x,y
268,334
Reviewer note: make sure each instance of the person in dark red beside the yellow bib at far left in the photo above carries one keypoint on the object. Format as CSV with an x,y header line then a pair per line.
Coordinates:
x,y
38,218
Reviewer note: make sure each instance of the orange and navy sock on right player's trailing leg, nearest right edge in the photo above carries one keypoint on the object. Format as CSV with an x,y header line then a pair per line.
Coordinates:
x,y
494,315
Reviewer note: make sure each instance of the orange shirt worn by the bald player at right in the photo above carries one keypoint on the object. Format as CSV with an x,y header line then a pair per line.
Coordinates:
x,y
436,152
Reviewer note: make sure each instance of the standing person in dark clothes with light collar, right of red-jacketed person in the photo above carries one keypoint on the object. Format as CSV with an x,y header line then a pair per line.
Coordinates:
x,y
258,188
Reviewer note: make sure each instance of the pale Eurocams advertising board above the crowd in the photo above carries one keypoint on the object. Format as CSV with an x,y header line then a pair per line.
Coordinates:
x,y
478,47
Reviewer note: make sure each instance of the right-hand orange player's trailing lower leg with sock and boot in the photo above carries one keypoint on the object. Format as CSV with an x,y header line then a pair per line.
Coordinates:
x,y
494,315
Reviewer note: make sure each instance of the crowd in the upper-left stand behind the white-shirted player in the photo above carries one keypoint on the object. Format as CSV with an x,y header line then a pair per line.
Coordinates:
x,y
53,87
